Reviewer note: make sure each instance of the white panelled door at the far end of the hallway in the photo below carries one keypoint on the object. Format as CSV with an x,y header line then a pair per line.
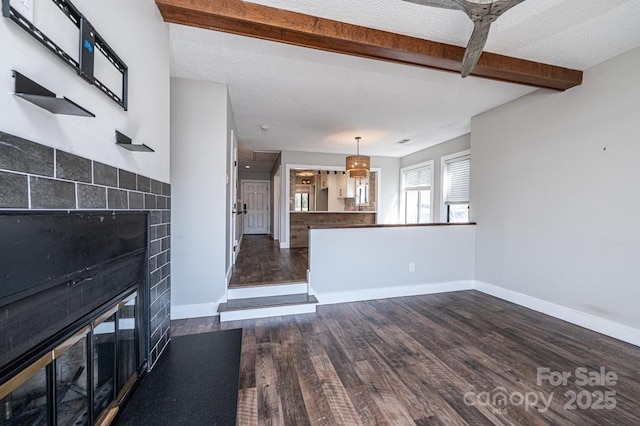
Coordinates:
x,y
255,198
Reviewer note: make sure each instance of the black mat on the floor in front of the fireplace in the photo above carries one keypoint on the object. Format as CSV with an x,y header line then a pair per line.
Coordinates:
x,y
195,382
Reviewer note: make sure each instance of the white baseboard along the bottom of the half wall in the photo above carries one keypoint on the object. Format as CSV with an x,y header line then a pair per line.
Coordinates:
x,y
388,292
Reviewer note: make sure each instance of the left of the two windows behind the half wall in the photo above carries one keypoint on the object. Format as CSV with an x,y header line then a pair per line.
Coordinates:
x,y
416,193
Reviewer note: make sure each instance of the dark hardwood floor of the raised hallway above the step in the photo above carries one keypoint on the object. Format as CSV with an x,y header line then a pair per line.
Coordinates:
x,y
261,261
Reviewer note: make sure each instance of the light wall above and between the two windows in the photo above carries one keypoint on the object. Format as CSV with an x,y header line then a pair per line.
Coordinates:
x,y
436,153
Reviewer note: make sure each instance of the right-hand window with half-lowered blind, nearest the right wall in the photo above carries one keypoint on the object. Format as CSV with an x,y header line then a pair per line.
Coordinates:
x,y
455,187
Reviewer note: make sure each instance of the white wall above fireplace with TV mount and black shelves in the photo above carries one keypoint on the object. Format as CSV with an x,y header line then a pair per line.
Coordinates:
x,y
135,30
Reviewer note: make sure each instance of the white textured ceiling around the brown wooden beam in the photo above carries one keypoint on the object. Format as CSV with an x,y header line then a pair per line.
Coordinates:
x,y
318,101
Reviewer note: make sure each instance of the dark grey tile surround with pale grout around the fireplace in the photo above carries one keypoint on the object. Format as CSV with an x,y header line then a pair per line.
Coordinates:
x,y
37,177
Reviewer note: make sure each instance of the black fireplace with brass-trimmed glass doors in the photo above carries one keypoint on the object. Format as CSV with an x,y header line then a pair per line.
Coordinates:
x,y
73,329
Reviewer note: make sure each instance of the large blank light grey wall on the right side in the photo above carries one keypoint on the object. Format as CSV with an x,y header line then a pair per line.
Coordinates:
x,y
554,189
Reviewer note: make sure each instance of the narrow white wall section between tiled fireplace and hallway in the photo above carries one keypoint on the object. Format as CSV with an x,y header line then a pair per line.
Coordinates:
x,y
199,144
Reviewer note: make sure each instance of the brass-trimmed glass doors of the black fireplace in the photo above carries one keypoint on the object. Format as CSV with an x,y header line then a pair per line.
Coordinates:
x,y
56,389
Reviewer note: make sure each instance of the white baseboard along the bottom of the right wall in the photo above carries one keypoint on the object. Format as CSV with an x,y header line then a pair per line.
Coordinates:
x,y
601,325
